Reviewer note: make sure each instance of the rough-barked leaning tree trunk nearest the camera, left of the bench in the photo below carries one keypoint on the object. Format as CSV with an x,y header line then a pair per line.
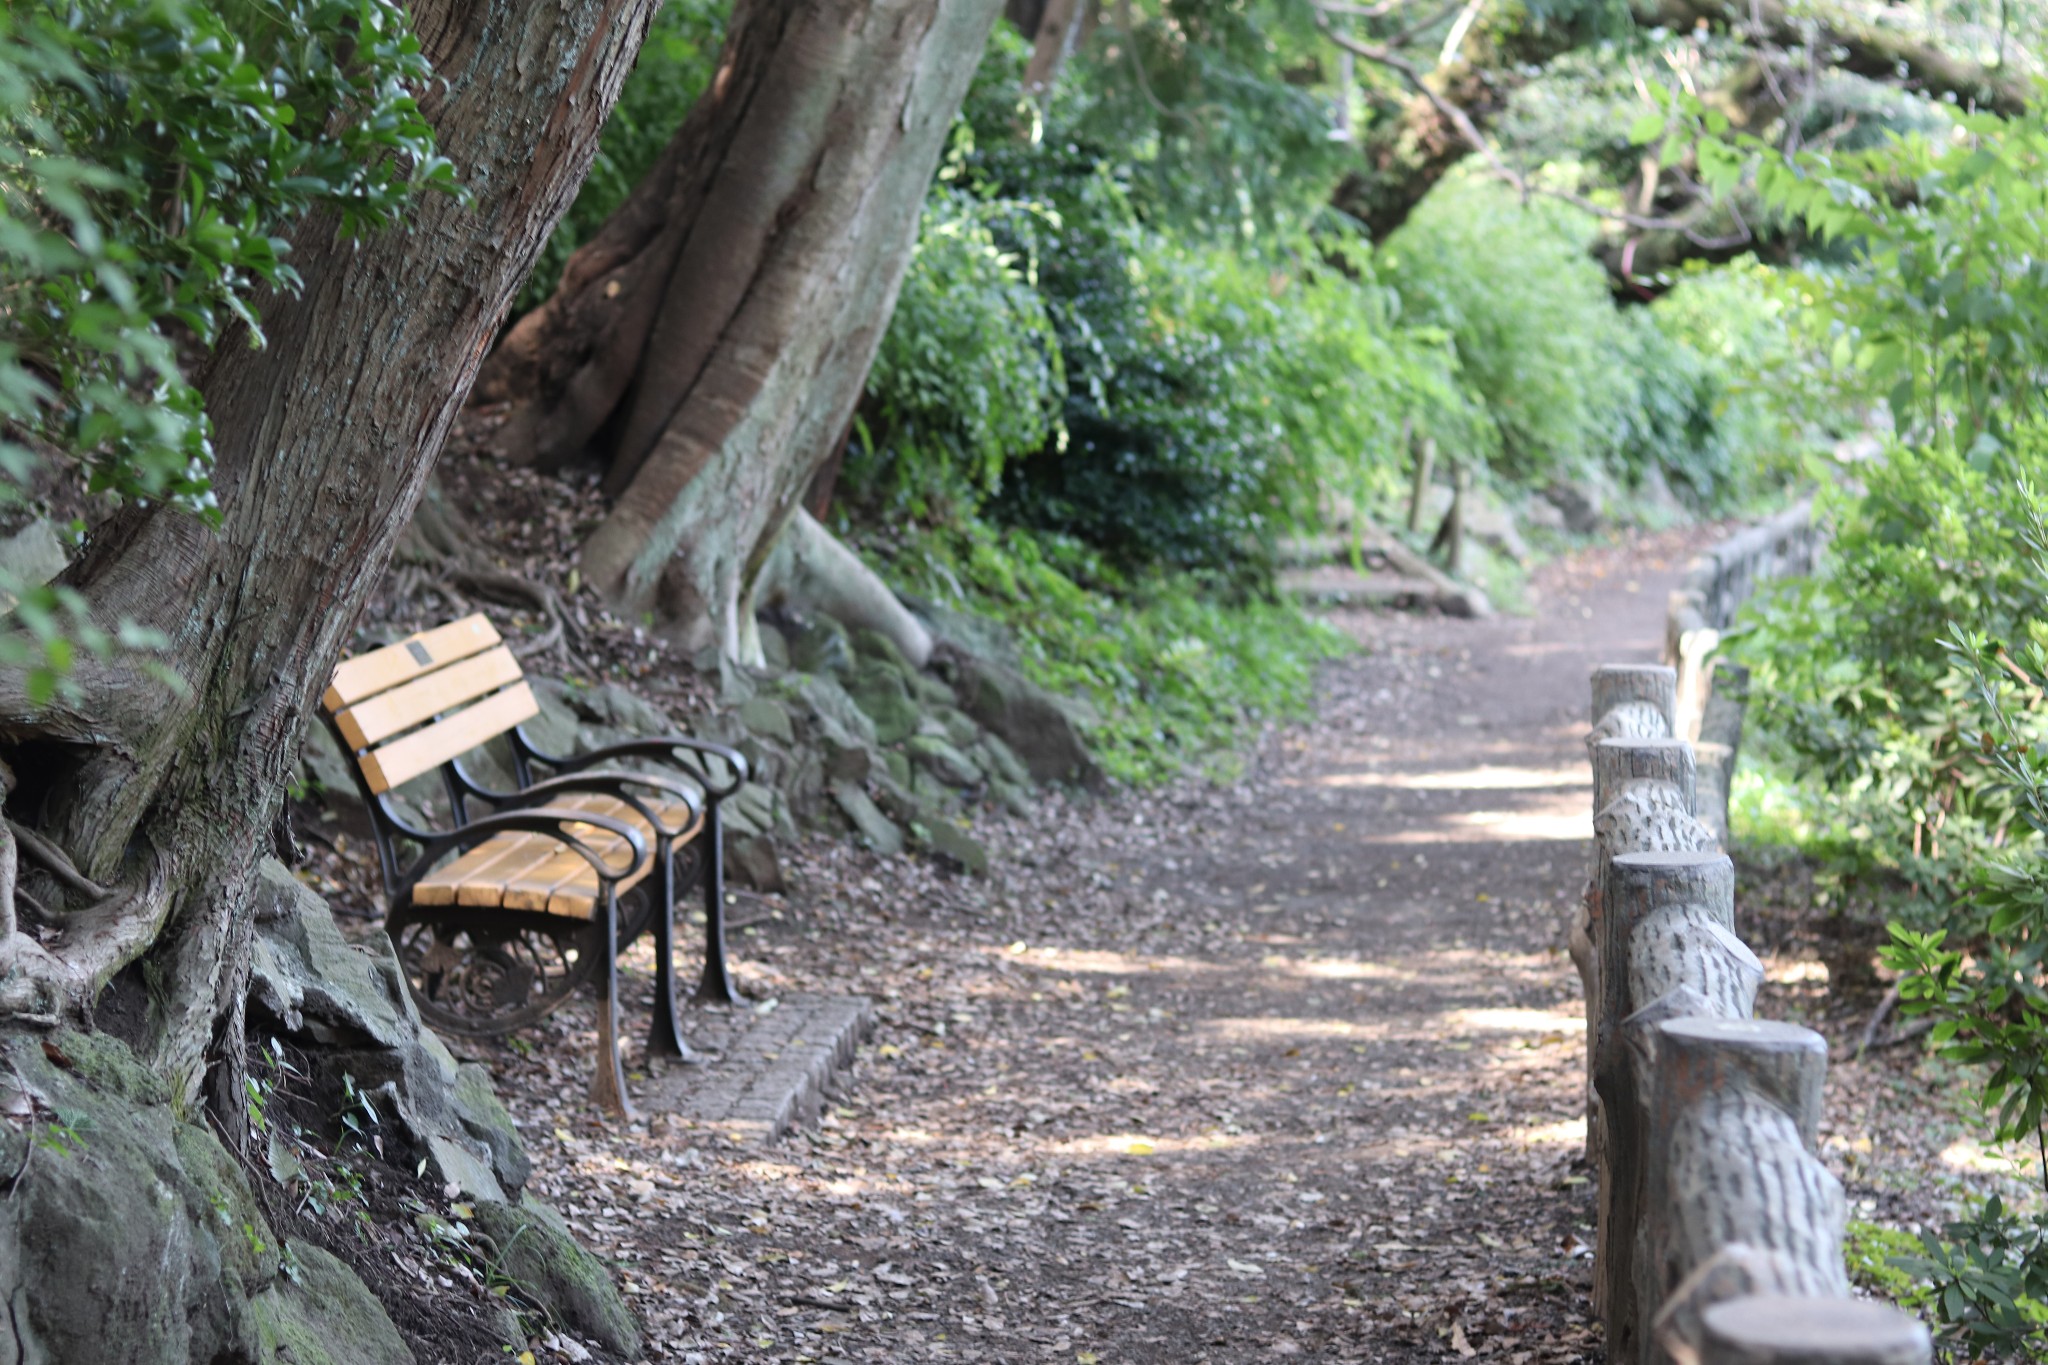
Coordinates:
x,y
325,443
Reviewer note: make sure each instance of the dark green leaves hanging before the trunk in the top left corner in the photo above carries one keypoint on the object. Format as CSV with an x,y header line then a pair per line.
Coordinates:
x,y
153,155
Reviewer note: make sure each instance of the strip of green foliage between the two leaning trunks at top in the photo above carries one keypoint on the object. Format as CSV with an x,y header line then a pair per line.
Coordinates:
x,y
673,69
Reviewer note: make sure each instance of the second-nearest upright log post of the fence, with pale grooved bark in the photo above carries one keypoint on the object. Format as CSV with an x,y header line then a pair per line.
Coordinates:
x,y
1730,1178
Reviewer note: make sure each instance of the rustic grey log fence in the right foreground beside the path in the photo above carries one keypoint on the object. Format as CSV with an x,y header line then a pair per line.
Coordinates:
x,y
1719,1227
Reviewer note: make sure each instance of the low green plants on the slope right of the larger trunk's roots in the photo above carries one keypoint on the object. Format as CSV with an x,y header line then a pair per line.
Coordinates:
x,y
1179,668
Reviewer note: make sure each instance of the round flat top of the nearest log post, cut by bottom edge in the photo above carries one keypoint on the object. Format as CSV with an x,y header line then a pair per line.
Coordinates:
x,y
1799,1331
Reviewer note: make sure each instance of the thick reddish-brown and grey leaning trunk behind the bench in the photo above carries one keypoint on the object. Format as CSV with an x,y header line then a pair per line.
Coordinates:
x,y
710,345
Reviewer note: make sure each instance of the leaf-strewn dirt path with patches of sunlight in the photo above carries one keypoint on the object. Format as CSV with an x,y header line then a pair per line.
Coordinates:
x,y
1283,1069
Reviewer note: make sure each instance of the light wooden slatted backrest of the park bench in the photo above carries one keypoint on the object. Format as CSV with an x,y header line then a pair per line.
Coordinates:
x,y
409,709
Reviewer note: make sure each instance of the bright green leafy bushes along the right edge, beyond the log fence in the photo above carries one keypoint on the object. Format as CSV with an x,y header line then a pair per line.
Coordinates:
x,y
1912,676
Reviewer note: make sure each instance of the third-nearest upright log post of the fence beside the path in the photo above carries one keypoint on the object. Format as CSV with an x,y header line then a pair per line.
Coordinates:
x,y
1670,946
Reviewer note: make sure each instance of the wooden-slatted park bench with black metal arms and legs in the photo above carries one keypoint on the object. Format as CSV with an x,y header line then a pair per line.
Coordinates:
x,y
499,918
